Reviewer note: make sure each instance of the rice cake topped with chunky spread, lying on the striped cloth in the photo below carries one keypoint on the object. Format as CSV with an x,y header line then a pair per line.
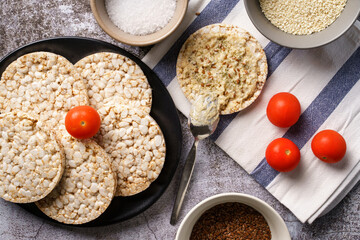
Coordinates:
x,y
225,60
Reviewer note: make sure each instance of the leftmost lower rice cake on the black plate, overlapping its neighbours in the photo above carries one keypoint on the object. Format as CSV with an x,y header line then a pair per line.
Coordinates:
x,y
32,161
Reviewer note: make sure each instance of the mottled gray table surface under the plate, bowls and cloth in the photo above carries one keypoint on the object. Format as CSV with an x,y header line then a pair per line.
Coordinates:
x,y
24,21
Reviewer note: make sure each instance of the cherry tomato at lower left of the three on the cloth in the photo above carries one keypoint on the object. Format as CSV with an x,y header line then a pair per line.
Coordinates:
x,y
282,155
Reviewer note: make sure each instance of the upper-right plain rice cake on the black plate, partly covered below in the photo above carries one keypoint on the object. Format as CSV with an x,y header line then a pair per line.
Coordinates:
x,y
113,79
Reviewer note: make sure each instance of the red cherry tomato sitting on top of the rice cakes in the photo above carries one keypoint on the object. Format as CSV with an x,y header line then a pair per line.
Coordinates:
x,y
82,122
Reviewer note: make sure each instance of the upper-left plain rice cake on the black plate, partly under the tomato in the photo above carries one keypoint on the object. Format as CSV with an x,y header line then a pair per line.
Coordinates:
x,y
42,84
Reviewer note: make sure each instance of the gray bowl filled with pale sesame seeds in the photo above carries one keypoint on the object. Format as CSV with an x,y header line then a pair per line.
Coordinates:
x,y
302,24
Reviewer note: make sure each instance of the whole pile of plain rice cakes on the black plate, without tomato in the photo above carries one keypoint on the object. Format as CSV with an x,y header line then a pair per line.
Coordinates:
x,y
37,90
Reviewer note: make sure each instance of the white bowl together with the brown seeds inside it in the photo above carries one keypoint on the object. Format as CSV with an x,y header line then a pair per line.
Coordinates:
x,y
232,216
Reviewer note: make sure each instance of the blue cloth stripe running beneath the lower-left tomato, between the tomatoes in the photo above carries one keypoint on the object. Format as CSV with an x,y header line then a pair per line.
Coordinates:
x,y
318,111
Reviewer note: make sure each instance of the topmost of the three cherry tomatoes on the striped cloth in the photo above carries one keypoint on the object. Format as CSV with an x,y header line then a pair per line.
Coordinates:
x,y
283,109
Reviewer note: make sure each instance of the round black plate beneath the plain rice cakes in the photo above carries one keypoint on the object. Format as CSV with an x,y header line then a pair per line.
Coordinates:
x,y
163,111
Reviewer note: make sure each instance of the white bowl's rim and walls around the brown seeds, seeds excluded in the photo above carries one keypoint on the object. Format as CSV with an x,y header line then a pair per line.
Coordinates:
x,y
276,223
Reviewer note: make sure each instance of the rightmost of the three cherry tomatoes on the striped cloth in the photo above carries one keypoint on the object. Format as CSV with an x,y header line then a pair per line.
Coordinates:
x,y
329,146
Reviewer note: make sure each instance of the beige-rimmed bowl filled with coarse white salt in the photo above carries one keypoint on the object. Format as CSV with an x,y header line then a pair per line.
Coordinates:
x,y
139,22
